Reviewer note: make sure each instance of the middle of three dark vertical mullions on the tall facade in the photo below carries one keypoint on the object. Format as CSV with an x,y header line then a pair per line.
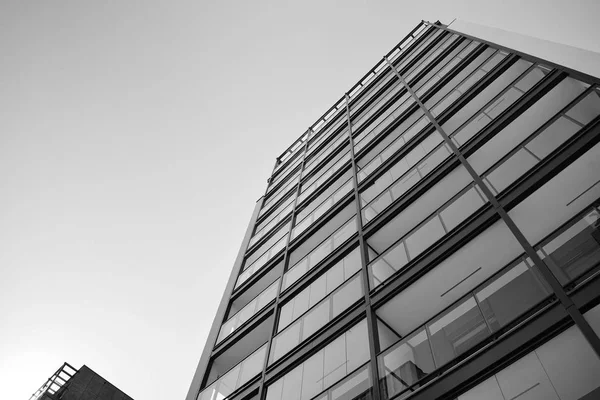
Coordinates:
x,y
371,323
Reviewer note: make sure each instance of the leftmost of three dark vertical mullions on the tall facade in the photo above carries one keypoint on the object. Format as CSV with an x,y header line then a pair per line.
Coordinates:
x,y
261,388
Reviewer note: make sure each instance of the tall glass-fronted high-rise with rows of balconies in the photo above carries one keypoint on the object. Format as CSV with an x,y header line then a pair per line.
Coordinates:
x,y
434,235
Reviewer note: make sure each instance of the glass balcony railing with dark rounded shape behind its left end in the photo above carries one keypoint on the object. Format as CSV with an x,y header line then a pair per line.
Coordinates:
x,y
454,332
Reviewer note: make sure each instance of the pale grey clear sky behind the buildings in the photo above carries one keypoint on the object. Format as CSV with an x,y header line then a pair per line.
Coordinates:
x,y
135,139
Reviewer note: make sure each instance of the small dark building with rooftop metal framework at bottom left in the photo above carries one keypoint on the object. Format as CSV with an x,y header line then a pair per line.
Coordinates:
x,y
68,383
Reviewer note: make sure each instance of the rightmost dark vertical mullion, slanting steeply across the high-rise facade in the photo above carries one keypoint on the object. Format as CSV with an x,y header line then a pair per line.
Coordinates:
x,y
565,300
